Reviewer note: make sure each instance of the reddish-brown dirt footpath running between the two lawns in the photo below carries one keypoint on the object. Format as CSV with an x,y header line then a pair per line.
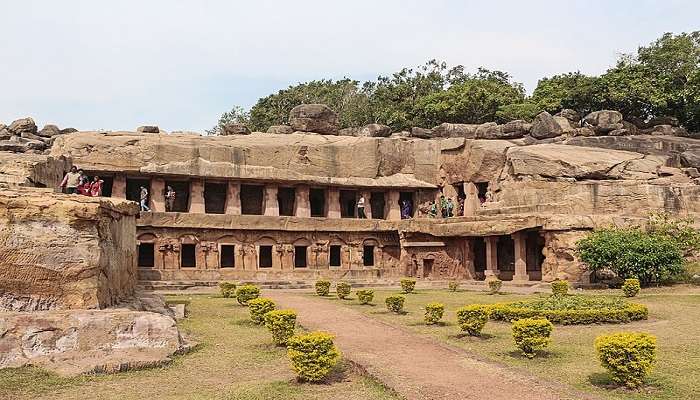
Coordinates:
x,y
416,367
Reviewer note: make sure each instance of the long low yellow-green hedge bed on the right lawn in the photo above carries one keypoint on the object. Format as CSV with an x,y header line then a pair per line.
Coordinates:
x,y
571,310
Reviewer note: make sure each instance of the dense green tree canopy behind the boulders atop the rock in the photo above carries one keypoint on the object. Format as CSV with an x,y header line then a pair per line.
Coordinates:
x,y
661,79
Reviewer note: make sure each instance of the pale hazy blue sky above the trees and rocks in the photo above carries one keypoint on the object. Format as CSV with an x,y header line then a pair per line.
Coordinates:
x,y
180,64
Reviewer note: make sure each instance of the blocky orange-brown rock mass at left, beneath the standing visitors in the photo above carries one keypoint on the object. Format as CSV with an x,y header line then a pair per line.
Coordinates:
x,y
65,251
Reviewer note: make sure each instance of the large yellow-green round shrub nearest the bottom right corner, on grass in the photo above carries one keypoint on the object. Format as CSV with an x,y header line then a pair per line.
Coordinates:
x,y
628,357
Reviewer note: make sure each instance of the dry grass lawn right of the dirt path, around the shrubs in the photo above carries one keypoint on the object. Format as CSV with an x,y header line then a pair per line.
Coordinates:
x,y
674,317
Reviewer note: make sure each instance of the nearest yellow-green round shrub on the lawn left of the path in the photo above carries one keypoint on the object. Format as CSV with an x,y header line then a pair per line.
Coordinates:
x,y
313,355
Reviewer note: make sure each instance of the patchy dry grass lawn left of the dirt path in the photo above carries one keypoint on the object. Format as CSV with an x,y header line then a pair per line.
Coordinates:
x,y
236,361
